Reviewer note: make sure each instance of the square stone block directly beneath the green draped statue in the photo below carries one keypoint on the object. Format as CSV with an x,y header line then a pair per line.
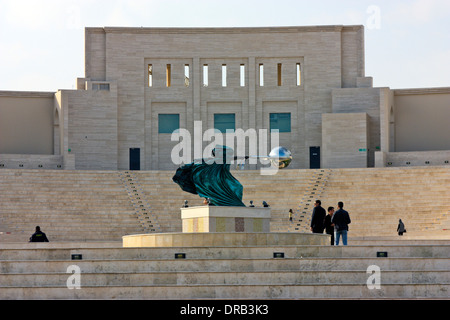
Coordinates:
x,y
225,219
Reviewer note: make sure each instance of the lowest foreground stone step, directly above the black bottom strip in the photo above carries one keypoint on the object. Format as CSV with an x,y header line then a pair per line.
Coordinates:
x,y
241,291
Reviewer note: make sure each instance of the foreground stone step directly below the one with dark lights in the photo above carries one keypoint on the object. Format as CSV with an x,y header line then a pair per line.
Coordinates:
x,y
227,265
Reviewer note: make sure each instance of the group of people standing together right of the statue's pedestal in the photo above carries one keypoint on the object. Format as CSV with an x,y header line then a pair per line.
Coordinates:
x,y
334,223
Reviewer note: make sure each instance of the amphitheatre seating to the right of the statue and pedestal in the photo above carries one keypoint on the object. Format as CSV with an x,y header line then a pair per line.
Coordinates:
x,y
376,198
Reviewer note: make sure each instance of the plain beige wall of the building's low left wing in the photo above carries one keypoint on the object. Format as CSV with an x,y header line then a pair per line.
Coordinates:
x,y
26,122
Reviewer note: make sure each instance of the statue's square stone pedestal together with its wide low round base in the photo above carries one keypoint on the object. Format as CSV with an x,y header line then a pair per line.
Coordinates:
x,y
210,226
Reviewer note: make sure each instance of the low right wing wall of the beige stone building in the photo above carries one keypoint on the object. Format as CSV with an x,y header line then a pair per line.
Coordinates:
x,y
413,127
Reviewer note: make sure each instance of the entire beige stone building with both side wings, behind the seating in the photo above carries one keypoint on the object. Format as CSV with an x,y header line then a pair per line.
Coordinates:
x,y
140,84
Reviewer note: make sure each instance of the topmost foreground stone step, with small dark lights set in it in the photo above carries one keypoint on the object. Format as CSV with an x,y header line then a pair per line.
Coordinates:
x,y
27,252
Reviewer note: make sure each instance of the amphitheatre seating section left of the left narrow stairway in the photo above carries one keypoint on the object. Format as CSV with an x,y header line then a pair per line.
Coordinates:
x,y
67,205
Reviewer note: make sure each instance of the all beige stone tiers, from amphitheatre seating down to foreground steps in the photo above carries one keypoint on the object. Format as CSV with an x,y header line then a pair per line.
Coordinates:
x,y
85,214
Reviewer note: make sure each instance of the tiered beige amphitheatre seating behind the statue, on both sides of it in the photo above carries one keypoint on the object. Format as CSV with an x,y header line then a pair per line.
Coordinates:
x,y
105,205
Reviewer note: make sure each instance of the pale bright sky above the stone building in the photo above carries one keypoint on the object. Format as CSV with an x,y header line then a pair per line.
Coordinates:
x,y
407,42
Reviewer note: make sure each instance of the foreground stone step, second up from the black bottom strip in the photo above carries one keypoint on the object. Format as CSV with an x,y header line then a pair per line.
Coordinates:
x,y
224,278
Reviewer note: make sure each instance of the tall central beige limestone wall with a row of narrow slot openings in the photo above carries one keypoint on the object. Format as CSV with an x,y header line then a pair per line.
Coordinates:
x,y
325,55
